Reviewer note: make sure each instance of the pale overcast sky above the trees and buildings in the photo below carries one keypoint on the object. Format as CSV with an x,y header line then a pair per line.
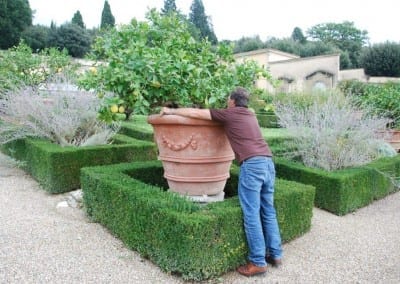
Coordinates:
x,y
233,19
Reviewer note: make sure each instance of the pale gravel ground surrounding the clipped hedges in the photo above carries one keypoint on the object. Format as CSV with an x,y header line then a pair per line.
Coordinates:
x,y
41,242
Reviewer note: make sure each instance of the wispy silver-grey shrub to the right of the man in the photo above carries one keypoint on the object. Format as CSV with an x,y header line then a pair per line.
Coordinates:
x,y
328,131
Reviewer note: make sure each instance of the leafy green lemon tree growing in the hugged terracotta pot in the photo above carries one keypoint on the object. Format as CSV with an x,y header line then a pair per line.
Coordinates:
x,y
154,62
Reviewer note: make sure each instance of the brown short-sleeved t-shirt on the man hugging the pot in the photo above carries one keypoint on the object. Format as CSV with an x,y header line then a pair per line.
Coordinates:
x,y
244,134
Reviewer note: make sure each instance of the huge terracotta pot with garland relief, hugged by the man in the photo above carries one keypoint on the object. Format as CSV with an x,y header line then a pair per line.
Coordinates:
x,y
195,153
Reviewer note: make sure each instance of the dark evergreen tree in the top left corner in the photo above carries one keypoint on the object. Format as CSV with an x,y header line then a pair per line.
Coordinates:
x,y
15,17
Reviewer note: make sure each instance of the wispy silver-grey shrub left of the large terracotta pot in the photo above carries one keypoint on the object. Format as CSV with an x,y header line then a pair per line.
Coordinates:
x,y
59,112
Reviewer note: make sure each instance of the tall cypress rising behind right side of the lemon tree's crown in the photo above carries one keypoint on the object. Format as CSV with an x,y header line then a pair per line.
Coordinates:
x,y
199,19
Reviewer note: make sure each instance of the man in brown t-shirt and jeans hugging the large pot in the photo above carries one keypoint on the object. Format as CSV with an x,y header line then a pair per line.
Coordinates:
x,y
256,178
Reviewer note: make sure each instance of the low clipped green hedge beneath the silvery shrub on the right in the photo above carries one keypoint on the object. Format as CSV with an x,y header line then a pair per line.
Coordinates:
x,y
344,191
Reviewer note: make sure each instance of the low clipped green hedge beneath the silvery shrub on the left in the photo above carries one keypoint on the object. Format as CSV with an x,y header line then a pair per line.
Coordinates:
x,y
57,169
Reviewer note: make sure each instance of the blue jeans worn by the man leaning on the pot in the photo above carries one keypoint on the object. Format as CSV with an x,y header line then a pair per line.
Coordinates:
x,y
256,196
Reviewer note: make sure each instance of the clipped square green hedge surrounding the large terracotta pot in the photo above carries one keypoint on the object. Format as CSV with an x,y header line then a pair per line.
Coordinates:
x,y
195,241
